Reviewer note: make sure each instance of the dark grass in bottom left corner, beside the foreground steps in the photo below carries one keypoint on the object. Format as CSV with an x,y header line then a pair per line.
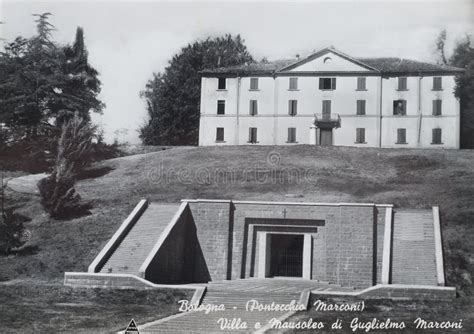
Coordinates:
x,y
41,307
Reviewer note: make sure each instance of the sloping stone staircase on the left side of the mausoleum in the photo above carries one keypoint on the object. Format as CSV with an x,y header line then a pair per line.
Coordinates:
x,y
137,244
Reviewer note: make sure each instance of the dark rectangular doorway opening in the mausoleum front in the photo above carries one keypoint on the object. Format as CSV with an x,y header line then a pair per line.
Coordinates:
x,y
286,255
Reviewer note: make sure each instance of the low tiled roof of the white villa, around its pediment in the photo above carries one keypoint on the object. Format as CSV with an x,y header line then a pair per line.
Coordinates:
x,y
384,65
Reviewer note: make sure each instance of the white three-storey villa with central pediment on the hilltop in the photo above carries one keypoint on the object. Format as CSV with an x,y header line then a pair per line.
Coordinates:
x,y
330,98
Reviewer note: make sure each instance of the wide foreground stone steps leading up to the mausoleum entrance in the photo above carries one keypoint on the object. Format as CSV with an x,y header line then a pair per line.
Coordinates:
x,y
235,295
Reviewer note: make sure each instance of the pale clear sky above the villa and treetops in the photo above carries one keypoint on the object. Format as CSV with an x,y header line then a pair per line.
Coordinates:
x,y
128,41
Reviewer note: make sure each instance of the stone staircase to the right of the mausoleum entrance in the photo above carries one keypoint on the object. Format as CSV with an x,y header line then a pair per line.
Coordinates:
x,y
413,257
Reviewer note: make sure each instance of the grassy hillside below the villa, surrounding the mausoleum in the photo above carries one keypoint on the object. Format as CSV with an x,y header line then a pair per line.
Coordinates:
x,y
406,178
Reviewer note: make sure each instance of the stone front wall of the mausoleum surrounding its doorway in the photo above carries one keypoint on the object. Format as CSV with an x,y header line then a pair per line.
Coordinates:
x,y
345,245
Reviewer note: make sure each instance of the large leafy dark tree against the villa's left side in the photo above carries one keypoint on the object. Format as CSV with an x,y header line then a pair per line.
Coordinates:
x,y
173,97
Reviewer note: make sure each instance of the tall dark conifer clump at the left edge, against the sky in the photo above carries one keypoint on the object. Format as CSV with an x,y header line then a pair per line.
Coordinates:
x,y
42,83
